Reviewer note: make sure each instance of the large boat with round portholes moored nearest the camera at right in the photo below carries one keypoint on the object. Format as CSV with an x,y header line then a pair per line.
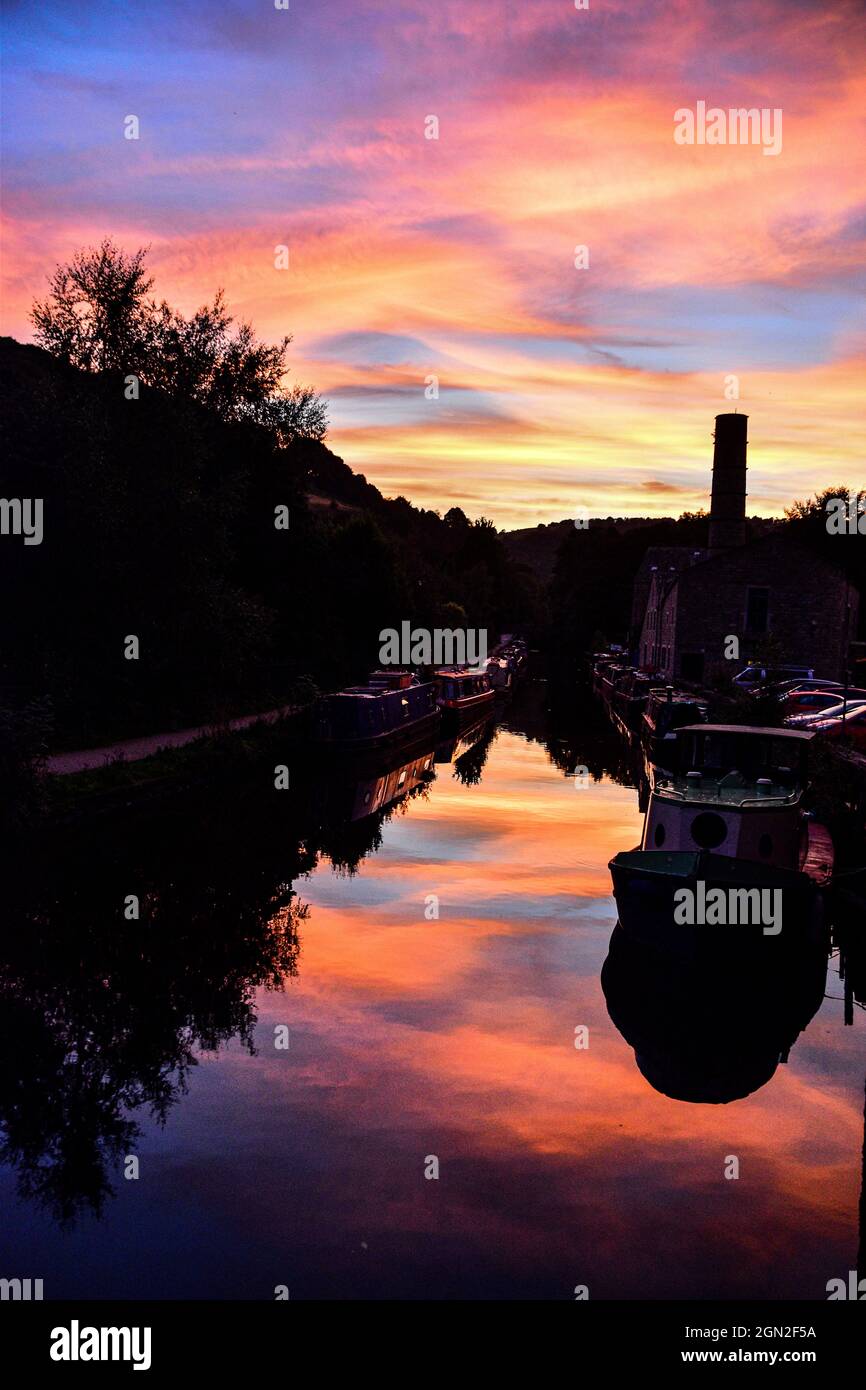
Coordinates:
x,y
729,817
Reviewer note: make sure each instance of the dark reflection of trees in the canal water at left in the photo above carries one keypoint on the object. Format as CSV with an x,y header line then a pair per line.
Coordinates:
x,y
104,1017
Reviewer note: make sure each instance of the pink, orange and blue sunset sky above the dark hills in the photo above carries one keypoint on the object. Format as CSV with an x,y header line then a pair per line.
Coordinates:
x,y
559,389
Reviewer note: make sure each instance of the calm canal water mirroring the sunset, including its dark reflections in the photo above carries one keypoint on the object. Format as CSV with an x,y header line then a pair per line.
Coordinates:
x,y
409,1038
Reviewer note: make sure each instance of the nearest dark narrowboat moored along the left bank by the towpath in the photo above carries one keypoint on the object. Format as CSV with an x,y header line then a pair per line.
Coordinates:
x,y
393,707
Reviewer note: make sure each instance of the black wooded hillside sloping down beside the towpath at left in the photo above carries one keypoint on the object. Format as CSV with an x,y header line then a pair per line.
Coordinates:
x,y
159,522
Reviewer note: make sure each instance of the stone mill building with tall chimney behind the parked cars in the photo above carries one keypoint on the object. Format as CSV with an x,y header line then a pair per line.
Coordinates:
x,y
772,594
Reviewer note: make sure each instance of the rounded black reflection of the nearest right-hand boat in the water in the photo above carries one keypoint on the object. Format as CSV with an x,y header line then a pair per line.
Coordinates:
x,y
705,1029
